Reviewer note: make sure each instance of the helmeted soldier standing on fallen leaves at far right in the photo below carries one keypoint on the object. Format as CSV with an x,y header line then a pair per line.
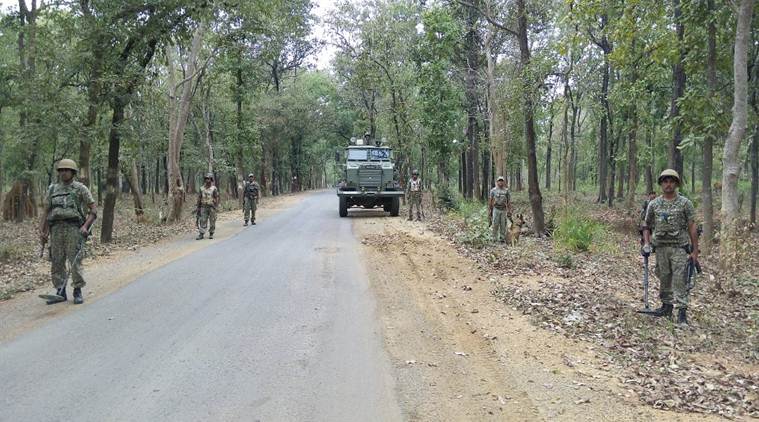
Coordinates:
x,y
675,237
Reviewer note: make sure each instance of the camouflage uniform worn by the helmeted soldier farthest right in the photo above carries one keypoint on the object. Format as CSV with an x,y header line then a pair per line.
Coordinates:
x,y
669,220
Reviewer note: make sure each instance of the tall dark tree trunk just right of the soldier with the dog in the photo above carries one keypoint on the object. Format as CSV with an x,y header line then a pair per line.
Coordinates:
x,y
536,199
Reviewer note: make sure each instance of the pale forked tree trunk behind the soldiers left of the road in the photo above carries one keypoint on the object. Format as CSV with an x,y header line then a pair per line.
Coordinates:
x,y
179,110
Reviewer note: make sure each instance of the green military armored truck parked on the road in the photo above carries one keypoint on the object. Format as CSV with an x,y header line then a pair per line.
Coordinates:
x,y
369,178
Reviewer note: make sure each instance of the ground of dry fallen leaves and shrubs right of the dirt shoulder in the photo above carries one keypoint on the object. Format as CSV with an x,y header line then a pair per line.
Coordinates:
x,y
710,367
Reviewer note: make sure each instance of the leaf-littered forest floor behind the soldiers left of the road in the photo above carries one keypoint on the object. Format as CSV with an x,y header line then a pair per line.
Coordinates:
x,y
22,269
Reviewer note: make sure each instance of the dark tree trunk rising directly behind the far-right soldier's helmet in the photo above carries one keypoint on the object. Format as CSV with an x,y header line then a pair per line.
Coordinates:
x,y
675,158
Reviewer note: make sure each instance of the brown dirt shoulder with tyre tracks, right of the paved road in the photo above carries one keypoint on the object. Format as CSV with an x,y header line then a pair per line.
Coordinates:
x,y
459,354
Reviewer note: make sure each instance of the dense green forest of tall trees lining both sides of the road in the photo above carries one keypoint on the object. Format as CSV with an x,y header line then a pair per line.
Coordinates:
x,y
588,99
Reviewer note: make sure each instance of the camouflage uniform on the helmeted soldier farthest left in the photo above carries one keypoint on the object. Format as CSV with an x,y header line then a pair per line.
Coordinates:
x,y
69,204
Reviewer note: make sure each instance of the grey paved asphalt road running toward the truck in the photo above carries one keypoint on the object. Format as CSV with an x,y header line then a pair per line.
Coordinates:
x,y
276,323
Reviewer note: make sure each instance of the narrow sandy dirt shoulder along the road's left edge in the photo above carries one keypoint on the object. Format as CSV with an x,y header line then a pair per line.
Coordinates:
x,y
109,273
